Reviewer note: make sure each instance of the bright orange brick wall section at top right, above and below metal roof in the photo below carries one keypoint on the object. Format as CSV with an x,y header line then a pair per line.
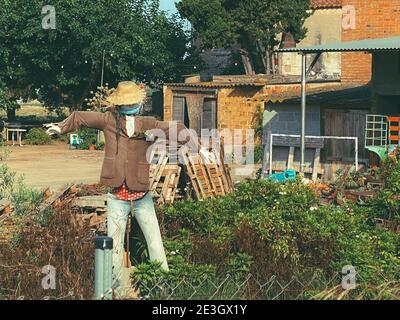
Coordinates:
x,y
374,19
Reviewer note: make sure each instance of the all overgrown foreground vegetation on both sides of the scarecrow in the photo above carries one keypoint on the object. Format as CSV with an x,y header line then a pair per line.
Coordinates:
x,y
264,229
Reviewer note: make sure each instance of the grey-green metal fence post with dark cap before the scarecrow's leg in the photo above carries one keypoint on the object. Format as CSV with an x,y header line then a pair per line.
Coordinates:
x,y
103,268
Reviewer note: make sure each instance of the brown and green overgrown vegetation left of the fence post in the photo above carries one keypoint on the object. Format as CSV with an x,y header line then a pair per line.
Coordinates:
x,y
31,240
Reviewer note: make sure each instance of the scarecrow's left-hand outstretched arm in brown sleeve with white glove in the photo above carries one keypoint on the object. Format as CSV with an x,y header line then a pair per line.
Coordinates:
x,y
78,119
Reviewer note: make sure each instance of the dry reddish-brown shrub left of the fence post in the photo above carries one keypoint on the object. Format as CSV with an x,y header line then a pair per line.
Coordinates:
x,y
64,244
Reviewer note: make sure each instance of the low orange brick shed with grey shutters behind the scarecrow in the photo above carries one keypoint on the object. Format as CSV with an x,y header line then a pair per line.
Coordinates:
x,y
228,102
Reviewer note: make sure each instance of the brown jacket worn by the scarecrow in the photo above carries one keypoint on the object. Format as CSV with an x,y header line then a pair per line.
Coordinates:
x,y
127,162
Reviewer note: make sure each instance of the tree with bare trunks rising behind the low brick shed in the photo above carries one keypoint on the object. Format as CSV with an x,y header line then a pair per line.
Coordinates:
x,y
251,25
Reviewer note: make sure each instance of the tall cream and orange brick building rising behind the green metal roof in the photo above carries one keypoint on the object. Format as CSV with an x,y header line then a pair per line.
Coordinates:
x,y
345,20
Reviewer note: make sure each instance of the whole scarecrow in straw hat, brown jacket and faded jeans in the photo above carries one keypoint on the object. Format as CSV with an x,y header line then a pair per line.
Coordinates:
x,y
125,167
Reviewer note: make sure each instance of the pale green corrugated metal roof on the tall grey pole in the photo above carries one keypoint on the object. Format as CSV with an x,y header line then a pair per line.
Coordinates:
x,y
379,44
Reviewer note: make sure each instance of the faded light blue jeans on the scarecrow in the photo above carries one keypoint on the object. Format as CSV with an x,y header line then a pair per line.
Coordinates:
x,y
118,212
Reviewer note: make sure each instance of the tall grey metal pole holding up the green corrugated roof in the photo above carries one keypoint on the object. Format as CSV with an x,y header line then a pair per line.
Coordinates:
x,y
303,111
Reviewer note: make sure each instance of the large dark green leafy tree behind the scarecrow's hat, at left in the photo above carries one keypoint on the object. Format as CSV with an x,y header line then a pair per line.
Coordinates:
x,y
61,66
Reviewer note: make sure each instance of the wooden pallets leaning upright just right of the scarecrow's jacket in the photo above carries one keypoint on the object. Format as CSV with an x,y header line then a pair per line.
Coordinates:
x,y
207,178
